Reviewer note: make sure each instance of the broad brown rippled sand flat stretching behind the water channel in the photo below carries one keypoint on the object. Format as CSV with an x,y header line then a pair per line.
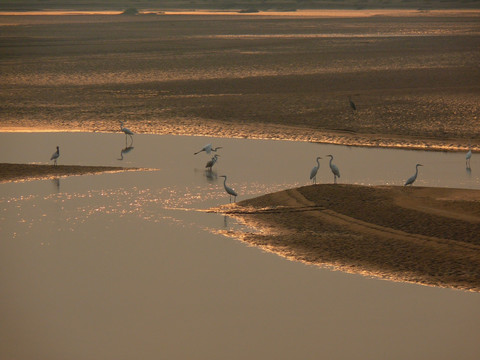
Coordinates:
x,y
414,79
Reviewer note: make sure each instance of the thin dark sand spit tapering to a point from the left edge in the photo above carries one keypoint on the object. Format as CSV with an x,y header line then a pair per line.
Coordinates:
x,y
27,172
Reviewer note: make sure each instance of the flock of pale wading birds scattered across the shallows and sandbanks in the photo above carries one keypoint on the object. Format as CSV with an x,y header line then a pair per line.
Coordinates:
x,y
313,173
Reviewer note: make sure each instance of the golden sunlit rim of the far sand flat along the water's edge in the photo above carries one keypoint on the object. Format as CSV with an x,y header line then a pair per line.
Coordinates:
x,y
266,131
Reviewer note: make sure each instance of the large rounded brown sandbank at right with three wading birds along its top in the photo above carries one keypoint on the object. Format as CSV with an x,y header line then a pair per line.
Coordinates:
x,y
428,236
